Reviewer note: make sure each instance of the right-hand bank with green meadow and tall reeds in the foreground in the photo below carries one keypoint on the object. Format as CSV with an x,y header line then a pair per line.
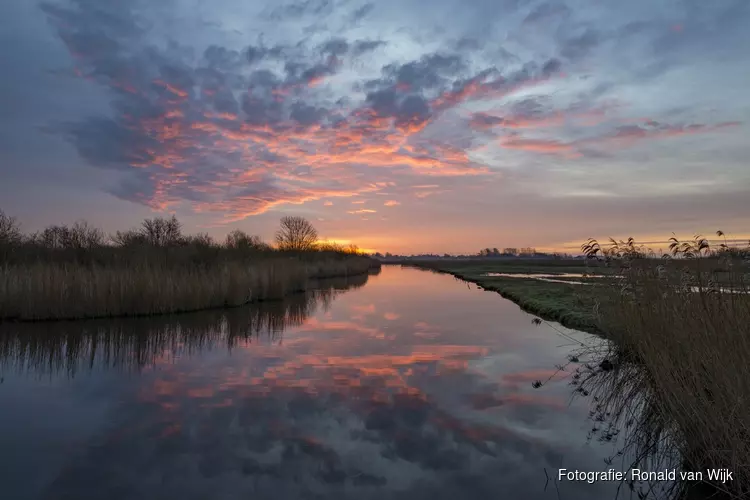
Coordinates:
x,y
679,381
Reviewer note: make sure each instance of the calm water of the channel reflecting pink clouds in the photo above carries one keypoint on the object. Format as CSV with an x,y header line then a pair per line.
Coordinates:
x,y
412,386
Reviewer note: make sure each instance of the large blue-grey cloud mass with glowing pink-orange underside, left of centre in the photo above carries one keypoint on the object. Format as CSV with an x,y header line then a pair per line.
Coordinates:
x,y
190,126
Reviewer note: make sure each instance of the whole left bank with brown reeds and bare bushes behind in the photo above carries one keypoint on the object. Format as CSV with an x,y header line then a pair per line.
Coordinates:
x,y
75,272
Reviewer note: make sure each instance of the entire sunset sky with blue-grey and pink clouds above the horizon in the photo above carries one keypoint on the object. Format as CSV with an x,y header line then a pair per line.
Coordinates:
x,y
399,125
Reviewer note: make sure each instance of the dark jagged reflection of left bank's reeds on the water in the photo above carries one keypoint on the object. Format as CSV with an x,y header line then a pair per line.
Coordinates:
x,y
135,343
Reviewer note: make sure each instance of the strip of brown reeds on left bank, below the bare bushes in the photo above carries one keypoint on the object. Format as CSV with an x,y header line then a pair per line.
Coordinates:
x,y
48,290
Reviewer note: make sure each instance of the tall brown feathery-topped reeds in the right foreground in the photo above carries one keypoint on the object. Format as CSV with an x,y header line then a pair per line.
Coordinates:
x,y
684,321
